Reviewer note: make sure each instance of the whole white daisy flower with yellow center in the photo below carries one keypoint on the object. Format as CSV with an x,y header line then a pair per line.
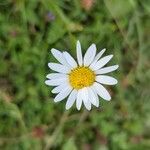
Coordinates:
x,y
81,81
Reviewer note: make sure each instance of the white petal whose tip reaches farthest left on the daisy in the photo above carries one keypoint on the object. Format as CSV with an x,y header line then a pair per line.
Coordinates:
x,y
55,82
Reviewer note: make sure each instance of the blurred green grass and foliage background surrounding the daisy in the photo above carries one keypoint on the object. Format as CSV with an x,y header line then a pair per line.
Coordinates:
x,y
29,119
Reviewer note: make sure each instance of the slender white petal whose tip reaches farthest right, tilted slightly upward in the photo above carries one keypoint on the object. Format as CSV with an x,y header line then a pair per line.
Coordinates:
x,y
107,69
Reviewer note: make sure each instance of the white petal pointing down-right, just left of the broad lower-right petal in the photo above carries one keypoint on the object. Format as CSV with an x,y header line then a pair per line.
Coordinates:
x,y
93,98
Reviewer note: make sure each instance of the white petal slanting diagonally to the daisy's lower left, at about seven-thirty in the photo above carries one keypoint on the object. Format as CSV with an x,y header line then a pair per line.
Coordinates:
x,y
63,94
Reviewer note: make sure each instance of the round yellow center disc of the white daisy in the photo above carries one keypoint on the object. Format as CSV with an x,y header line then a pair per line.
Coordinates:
x,y
81,77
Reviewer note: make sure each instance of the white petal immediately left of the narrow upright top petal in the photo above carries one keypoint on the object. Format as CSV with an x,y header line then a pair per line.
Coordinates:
x,y
70,60
